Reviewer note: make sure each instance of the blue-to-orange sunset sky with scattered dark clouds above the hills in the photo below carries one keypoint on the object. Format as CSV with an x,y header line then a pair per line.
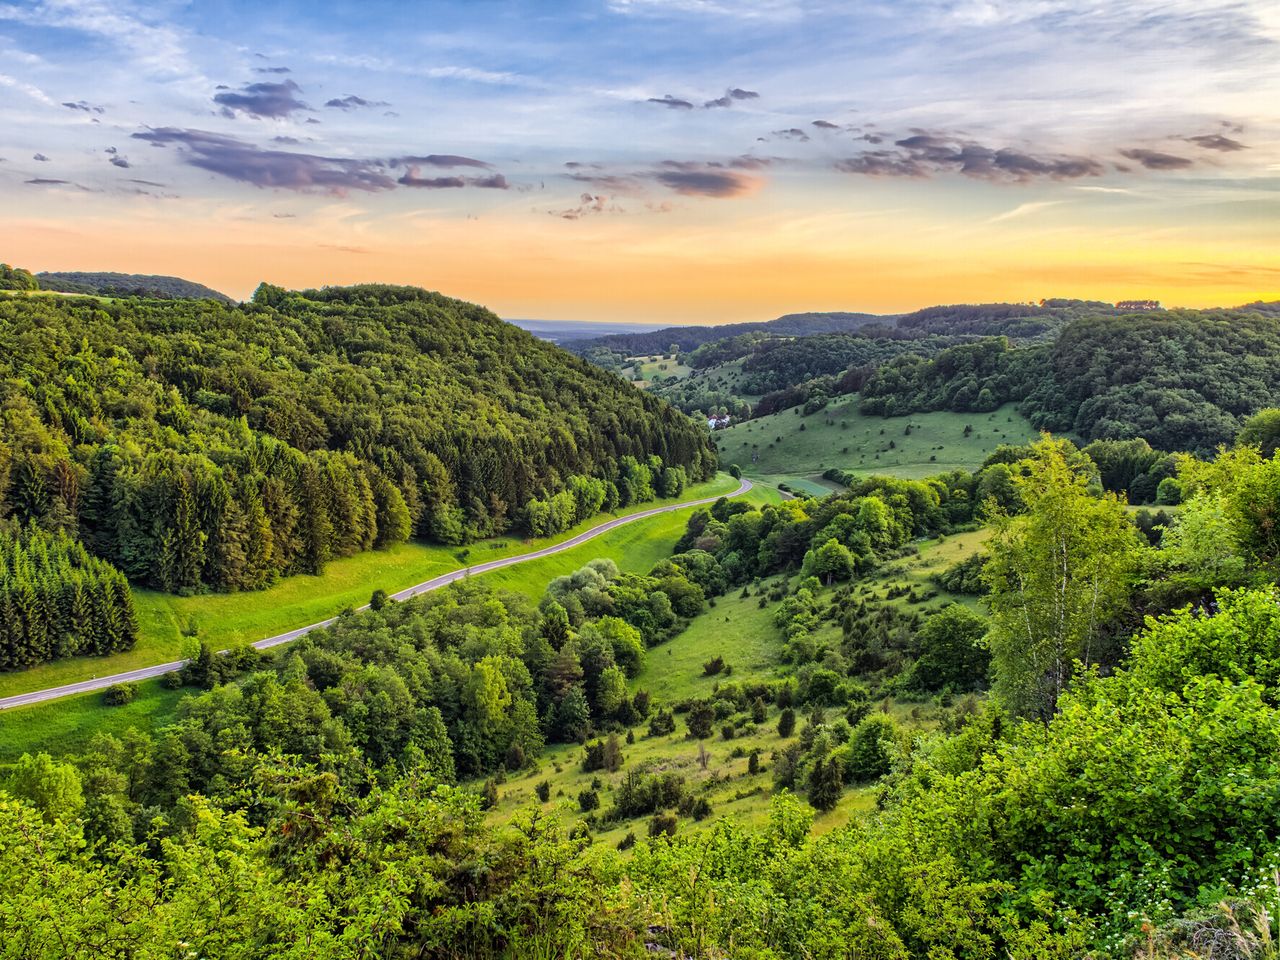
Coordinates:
x,y
653,161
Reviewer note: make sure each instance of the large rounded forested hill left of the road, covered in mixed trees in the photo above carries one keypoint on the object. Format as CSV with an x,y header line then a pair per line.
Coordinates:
x,y
198,445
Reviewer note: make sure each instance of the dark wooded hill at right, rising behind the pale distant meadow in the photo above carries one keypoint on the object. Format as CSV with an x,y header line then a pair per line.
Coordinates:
x,y
1183,381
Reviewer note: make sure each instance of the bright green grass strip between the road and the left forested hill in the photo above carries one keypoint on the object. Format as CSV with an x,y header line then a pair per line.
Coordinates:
x,y
228,619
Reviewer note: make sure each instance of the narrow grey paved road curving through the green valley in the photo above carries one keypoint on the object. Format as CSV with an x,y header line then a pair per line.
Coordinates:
x,y
427,587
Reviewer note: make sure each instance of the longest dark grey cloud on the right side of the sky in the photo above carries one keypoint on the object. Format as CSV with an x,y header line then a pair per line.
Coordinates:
x,y
927,154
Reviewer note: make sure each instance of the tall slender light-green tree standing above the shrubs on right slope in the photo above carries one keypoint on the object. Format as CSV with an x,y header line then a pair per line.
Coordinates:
x,y
1058,574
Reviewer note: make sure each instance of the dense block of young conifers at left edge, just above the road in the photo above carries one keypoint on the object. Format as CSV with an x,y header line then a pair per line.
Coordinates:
x,y
58,601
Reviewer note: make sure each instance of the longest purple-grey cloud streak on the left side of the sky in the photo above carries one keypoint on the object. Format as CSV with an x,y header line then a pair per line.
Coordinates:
x,y
248,163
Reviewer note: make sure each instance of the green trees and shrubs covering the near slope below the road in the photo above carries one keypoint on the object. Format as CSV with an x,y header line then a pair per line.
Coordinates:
x,y
1113,798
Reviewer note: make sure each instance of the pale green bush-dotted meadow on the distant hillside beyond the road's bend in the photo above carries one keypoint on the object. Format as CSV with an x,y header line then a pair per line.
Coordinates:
x,y
792,449
